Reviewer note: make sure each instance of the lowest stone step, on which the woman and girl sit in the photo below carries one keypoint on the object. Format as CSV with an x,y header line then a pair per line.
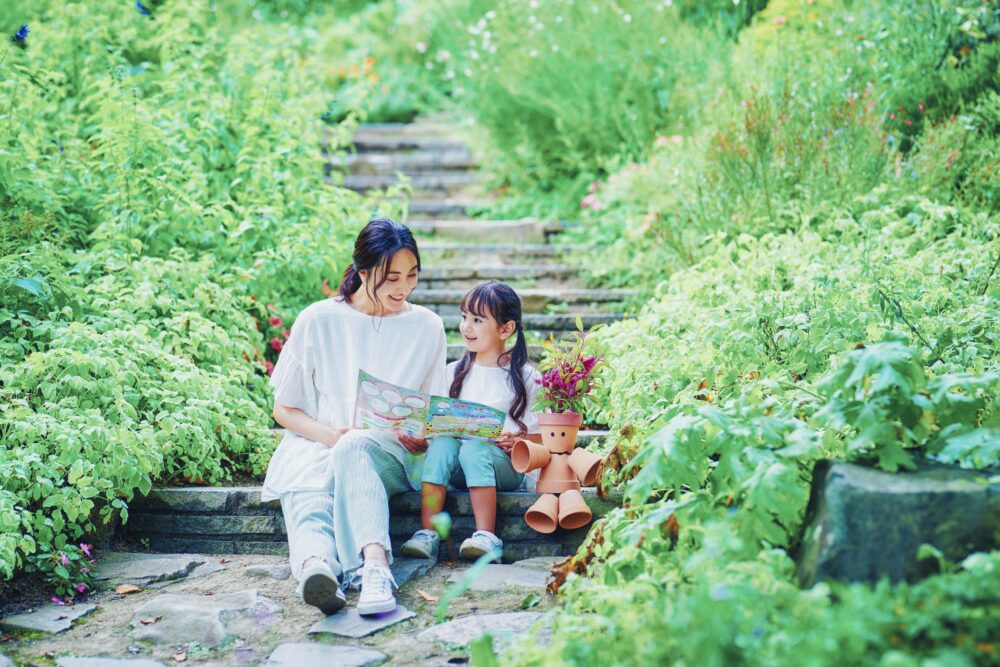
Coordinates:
x,y
228,520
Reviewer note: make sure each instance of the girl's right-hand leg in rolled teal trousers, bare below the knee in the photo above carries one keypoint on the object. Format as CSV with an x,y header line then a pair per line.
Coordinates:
x,y
486,468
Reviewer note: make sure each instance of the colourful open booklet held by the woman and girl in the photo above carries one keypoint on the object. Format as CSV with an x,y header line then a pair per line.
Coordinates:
x,y
384,406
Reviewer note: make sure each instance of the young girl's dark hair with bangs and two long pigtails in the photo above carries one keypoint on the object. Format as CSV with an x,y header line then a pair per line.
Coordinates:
x,y
501,302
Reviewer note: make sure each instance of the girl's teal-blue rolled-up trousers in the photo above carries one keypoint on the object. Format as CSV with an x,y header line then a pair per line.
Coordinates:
x,y
467,463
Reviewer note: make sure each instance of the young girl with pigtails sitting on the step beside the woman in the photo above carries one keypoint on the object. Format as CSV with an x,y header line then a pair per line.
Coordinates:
x,y
488,373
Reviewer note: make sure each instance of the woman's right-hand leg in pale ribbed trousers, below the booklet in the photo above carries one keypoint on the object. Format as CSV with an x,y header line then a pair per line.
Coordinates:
x,y
367,475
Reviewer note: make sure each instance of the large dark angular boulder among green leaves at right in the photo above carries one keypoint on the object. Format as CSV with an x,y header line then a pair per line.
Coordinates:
x,y
864,524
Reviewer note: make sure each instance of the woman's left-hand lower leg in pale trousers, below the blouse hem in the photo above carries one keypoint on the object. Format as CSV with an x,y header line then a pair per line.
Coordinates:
x,y
309,524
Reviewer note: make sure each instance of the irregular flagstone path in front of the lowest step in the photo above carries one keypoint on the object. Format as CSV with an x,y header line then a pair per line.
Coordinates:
x,y
242,612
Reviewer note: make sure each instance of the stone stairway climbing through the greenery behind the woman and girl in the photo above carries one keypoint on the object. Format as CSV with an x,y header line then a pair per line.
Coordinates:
x,y
458,252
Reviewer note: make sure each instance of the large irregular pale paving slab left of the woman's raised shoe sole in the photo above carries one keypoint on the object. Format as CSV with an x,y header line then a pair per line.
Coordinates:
x,y
206,619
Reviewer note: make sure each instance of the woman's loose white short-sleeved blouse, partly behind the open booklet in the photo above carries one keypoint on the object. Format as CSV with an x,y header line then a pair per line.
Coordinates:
x,y
317,372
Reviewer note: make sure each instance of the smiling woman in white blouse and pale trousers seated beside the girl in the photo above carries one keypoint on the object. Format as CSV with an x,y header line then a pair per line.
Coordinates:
x,y
369,325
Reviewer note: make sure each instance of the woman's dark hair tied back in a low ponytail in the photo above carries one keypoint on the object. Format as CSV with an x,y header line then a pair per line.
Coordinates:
x,y
373,250
